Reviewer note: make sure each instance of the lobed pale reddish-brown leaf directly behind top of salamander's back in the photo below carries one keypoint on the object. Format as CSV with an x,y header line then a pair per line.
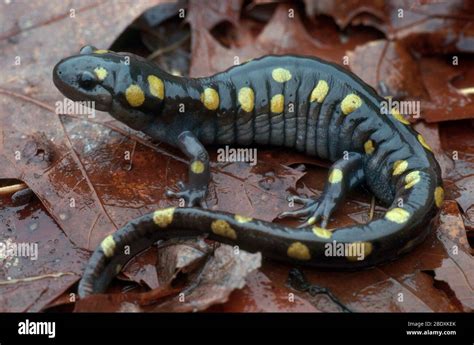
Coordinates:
x,y
283,34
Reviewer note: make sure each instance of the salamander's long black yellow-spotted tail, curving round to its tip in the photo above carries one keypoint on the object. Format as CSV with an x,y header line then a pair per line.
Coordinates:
x,y
404,225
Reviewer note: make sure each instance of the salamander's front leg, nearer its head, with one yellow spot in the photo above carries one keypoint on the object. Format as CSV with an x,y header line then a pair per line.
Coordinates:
x,y
194,192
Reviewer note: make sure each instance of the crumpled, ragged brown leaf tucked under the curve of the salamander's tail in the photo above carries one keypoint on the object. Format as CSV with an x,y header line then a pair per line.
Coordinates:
x,y
207,282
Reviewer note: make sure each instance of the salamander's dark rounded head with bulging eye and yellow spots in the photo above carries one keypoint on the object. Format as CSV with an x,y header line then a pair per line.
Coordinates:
x,y
129,88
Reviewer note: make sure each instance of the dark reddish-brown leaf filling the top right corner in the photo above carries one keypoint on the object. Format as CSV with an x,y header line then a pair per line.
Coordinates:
x,y
424,25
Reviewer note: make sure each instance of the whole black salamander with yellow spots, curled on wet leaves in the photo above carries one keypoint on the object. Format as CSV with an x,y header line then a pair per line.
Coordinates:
x,y
303,103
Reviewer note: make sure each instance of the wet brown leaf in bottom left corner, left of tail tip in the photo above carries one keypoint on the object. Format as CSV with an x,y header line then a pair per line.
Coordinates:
x,y
31,278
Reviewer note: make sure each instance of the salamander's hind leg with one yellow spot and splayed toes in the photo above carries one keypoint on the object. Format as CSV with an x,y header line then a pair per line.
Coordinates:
x,y
344,175
